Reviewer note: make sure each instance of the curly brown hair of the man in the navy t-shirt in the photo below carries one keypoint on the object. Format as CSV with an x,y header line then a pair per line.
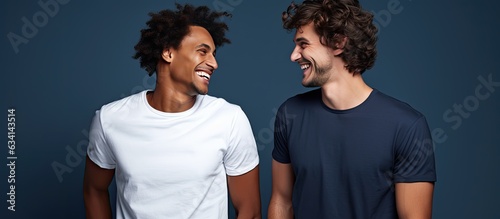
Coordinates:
x,y
333,20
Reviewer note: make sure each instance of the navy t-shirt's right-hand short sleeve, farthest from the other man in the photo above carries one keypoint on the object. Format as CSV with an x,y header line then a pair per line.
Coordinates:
x,y
414,161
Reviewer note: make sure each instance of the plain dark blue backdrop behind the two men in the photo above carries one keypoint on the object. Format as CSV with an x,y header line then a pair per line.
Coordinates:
x,y
431,55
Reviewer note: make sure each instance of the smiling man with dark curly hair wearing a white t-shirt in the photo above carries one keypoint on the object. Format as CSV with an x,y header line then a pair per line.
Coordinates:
x,y
174,151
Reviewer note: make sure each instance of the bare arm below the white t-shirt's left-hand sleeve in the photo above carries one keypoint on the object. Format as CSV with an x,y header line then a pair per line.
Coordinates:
x,y
95,190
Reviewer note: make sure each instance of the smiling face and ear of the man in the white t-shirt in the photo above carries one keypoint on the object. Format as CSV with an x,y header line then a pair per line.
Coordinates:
x,y
192,64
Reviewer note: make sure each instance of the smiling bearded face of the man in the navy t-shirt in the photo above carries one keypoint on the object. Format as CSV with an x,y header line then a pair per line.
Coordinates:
x,y
314,58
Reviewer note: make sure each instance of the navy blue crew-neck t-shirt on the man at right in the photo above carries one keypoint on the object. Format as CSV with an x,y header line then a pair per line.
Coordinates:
x,y
346,162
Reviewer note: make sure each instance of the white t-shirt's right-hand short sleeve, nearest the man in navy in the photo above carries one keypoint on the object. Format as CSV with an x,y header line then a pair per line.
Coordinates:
x,y
241,155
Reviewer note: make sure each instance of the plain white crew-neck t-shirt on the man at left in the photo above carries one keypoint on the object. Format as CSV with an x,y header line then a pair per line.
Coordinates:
x,y
172,165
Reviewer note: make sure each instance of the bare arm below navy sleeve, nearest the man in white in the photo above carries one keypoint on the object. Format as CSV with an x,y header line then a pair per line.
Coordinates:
x,y
280,206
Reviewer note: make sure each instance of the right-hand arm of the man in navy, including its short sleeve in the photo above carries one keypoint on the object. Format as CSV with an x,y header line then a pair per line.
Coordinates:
x,y
415,172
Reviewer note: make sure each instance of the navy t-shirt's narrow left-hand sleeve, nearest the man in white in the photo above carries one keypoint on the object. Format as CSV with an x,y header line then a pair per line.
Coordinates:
x,y
280,151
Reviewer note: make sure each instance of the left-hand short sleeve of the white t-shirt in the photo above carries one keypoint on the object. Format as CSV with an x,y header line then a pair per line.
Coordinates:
x,y
98,150
